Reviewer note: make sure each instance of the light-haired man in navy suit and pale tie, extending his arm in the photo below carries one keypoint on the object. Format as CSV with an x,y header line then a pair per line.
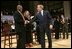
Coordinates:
x,y
44,20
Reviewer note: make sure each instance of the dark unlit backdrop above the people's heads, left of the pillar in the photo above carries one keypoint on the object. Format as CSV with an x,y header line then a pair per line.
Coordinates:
x,y
30,5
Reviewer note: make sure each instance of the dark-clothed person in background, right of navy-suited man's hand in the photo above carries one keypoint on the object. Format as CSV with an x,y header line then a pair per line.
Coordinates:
x,y
57,27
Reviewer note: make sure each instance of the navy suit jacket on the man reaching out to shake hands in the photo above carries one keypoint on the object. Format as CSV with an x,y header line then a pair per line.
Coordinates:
x,y
44,20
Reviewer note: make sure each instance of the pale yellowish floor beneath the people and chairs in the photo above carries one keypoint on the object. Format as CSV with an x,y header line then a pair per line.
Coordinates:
x,y
60,43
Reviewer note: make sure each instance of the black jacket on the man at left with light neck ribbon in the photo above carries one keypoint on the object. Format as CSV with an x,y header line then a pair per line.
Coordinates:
x,y
19,23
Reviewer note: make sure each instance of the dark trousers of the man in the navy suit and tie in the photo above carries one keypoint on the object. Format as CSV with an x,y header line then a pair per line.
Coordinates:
x,y
42,36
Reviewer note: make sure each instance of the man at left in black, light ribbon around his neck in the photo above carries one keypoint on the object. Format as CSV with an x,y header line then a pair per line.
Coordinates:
x,y
20,28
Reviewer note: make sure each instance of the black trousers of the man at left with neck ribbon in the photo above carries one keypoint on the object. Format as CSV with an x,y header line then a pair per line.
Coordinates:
x,y
21,40
